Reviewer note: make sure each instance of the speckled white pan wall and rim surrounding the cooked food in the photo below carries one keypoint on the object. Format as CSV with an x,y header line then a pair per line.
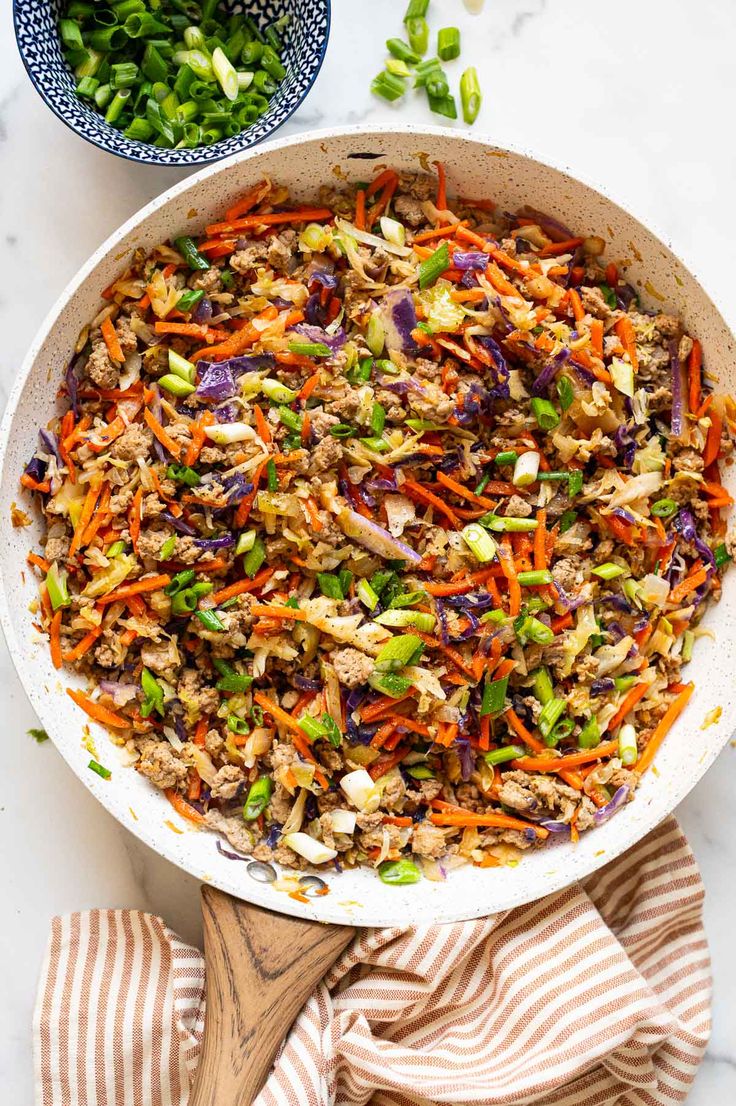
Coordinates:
x,y
474,169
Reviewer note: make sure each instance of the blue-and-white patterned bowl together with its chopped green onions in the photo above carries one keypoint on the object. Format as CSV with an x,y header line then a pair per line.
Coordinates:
x,y
173,82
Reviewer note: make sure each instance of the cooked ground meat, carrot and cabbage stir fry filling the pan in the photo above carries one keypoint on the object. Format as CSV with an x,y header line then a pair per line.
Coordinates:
x,y
382,527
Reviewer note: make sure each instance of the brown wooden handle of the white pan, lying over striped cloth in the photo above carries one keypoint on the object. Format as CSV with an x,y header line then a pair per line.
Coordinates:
x,y
262,968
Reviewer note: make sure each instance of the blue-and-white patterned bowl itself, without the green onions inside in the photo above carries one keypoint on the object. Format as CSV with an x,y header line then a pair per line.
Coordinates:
x,y
306,41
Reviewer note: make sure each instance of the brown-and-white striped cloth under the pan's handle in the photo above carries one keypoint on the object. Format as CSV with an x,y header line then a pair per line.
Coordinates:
x,y
599,996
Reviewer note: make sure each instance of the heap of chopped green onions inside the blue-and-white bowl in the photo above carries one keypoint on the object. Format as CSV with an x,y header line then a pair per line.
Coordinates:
x,y
165,80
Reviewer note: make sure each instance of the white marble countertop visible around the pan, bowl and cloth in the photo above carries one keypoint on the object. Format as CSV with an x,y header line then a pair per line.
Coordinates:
x,y
634,95
